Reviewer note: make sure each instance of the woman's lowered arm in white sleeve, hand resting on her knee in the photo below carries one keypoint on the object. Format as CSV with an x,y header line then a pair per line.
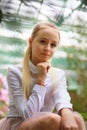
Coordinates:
x,y
63,104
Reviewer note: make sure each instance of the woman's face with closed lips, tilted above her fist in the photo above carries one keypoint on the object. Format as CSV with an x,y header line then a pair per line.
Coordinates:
x,y
44,45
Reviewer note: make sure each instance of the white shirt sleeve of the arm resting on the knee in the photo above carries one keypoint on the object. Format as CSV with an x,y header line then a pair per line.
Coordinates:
x,y
61,95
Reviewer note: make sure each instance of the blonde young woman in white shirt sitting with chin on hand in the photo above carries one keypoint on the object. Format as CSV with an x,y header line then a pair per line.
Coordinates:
x,y
35,88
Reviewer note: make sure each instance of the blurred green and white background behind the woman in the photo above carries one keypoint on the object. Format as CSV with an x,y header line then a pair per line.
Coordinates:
x,y
17,18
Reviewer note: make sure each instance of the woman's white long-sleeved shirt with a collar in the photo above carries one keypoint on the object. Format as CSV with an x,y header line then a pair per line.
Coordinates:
x,y
42,99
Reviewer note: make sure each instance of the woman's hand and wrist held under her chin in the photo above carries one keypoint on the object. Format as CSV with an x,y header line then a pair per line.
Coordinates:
x,y
43,68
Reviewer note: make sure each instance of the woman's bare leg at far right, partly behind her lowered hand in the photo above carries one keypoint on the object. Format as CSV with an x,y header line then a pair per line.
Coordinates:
x,y
79,121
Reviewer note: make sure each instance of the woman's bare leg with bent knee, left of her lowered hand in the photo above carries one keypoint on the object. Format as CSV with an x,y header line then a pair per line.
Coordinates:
x,y
45,122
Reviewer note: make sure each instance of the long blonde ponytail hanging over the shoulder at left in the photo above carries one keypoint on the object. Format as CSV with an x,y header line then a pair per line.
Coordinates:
x,y
26,77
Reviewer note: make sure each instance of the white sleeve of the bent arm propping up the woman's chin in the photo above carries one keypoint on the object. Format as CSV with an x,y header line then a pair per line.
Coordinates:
x,y
26,108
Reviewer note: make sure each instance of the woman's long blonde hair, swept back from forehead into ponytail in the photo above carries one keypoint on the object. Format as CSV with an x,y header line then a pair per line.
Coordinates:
x,y
26,77
